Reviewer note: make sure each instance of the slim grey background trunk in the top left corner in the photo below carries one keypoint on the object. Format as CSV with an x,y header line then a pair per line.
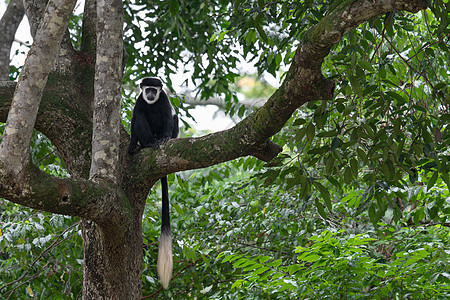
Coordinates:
x,y
8,27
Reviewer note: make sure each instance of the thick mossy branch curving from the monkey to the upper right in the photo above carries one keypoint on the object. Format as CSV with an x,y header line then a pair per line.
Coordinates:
x,y
304,82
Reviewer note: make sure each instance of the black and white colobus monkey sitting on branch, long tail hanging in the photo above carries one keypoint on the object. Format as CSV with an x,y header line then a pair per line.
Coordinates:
x,y
154,121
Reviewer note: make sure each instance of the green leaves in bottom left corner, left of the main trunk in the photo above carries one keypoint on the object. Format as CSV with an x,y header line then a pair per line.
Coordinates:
x,y
40,254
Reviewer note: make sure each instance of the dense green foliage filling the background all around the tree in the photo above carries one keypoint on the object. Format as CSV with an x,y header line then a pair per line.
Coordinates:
x,y
358,204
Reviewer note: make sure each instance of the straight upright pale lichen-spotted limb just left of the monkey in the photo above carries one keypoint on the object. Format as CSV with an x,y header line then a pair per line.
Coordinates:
x,y
108,90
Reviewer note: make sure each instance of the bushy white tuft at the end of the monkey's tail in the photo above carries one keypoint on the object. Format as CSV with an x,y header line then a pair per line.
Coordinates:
x,y
165,262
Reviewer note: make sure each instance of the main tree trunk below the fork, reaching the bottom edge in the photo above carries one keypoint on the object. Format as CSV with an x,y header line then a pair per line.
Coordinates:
x,y
112,261
